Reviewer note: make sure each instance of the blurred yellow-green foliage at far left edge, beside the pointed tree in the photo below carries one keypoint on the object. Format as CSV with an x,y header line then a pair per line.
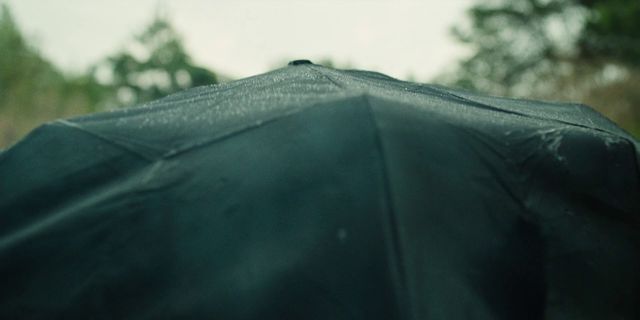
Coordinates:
x,y
32,90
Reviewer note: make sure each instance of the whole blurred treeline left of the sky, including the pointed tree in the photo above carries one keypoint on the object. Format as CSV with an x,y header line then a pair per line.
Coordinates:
x,y
33,90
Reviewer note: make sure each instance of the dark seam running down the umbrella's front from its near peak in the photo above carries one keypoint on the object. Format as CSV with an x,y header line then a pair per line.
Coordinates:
x,y
398,264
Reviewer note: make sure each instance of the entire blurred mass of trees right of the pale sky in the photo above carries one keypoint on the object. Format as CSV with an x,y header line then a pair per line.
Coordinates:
x,y
579,50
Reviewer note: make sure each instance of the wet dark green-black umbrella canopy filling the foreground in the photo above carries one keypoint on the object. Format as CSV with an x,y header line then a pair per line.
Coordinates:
x,y
314,193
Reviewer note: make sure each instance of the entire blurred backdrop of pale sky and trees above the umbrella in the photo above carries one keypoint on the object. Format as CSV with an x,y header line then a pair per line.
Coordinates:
x,y
61,58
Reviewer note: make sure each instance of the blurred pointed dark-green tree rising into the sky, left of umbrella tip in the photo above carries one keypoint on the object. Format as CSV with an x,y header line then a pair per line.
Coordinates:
x,y
154,65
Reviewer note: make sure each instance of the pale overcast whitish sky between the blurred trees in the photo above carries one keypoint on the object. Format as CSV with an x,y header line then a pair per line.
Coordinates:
x,y
241,38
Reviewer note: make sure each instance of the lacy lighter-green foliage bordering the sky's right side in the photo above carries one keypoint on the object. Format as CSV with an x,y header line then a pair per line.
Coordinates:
x,y
513,41
